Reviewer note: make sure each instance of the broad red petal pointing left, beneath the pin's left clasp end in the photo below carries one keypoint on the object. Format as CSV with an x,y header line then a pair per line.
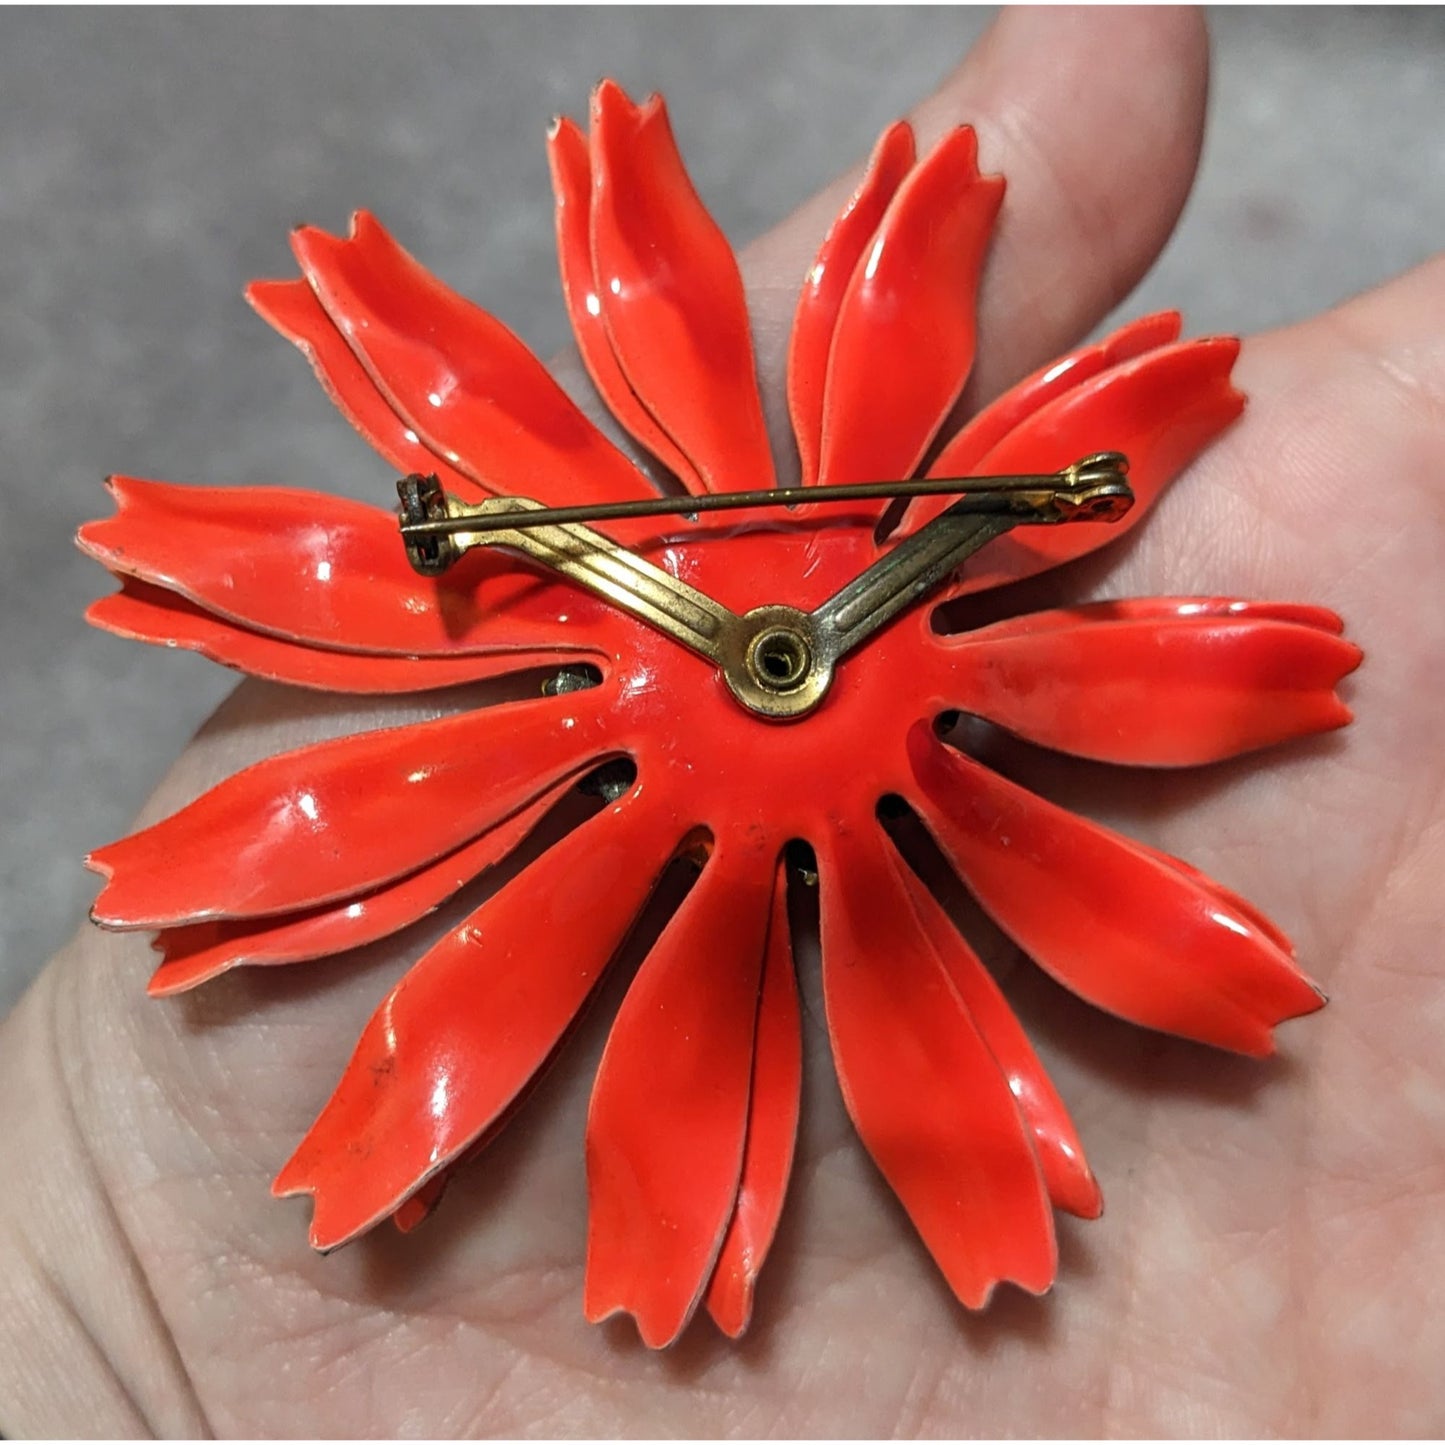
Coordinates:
x,y
335,573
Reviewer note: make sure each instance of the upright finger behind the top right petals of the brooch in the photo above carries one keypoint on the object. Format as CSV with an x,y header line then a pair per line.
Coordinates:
x,y
1097,174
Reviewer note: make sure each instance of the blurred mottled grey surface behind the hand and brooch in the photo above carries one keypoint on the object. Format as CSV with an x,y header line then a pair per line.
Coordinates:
x,y
151,163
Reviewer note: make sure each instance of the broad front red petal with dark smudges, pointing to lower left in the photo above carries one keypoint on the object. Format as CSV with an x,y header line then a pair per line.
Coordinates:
x,y
466,1032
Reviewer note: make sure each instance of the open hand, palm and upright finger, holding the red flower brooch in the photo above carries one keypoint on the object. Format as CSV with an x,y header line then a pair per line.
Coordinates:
x,y
1272,1230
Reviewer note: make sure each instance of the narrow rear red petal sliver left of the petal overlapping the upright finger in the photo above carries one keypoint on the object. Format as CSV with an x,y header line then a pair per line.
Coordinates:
x,y
817,314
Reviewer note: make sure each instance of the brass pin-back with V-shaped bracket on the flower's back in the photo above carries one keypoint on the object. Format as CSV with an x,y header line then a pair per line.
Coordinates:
x,y
778,661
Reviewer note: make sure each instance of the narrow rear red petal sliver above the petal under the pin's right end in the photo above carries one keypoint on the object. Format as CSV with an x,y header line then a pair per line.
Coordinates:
x,y
992,426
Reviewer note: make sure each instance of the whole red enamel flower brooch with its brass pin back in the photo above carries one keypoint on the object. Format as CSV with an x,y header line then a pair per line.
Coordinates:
x,y
728,677
